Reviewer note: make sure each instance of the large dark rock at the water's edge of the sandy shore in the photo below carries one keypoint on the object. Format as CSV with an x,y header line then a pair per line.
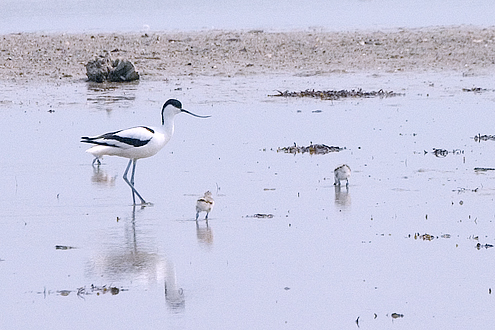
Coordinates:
x,y
105,69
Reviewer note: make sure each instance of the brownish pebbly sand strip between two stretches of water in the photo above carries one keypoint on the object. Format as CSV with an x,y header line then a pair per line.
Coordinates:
x,y
163,55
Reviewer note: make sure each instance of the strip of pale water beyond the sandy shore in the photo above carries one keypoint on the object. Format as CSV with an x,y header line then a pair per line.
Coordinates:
x,y
72,16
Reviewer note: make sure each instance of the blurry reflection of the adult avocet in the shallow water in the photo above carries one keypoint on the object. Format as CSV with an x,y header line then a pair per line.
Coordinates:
x,y
132,258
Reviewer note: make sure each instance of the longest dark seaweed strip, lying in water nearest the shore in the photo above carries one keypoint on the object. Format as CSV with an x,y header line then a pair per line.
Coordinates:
x,y
336,95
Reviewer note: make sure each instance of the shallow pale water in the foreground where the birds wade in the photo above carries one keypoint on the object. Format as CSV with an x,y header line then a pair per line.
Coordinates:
x,y
327,256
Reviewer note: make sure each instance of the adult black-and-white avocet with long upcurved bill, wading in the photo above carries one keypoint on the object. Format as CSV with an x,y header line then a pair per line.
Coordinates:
x,y
137,142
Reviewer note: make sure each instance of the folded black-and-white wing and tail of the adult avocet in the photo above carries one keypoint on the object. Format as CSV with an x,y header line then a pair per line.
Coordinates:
x,y
128,138
